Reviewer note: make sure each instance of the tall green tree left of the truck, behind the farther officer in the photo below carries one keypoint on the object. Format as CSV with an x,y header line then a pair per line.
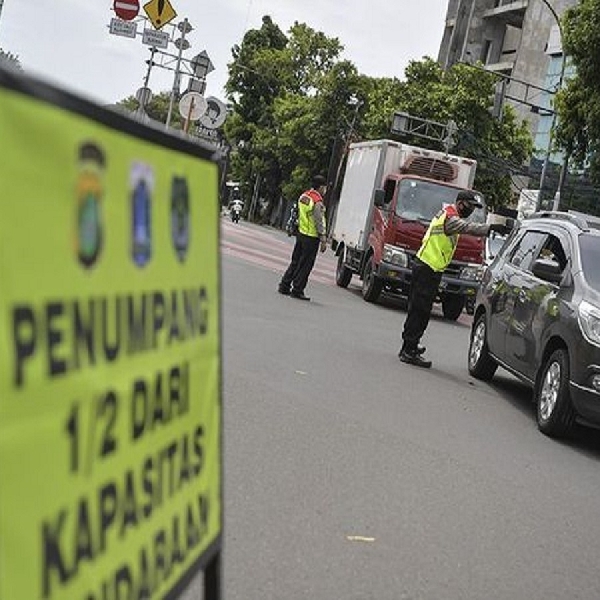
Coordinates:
x,y
274,87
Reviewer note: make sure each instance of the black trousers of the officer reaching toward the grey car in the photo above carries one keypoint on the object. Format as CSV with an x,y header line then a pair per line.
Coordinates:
x,y
423,290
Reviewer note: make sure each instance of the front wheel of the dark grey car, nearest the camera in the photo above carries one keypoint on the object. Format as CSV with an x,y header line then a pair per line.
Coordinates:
x,y
555,412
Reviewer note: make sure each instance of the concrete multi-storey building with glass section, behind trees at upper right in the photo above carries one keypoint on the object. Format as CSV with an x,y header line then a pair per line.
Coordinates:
x,y
519,39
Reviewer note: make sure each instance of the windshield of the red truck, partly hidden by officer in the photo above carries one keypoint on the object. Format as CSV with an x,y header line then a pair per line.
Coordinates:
x,y
421,200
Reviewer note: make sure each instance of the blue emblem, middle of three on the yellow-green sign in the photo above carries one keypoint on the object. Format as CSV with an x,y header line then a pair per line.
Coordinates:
x,y
142,185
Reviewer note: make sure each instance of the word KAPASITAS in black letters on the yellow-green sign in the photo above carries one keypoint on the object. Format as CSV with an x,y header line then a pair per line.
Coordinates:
x,y
83,532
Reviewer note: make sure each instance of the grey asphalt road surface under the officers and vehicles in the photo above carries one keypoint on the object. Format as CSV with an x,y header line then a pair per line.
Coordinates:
x,y
445,482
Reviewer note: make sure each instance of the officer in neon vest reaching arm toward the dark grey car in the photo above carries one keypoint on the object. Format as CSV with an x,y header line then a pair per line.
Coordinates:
x,y
434,255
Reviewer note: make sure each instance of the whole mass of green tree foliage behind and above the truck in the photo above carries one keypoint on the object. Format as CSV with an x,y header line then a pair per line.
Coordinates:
x,y
297,104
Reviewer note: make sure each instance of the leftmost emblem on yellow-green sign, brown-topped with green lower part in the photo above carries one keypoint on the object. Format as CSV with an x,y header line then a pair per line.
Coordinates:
x,y
90,191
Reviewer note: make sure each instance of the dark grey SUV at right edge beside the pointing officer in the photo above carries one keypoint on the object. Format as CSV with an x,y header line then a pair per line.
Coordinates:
x,y
537,314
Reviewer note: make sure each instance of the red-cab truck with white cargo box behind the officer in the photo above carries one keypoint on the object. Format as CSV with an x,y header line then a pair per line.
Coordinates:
x,y
390,193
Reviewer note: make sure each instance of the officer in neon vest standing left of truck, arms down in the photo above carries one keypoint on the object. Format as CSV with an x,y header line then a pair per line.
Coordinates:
x,y
310,237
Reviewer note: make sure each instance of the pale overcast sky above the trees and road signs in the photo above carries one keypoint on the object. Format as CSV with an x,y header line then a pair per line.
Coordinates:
x,y
68,41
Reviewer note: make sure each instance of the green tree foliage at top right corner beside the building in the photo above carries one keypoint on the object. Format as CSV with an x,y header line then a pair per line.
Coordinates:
x,y
578,104
